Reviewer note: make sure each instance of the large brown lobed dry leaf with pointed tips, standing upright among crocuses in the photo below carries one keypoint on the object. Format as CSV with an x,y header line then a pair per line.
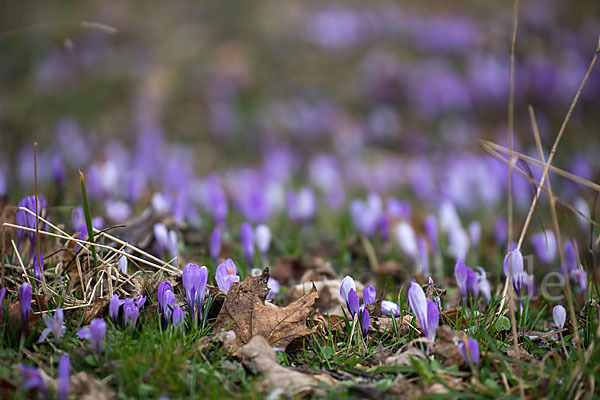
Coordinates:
x,y
245,312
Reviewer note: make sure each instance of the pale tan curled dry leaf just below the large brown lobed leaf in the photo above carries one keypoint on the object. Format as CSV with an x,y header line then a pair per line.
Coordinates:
x,y
259,357
